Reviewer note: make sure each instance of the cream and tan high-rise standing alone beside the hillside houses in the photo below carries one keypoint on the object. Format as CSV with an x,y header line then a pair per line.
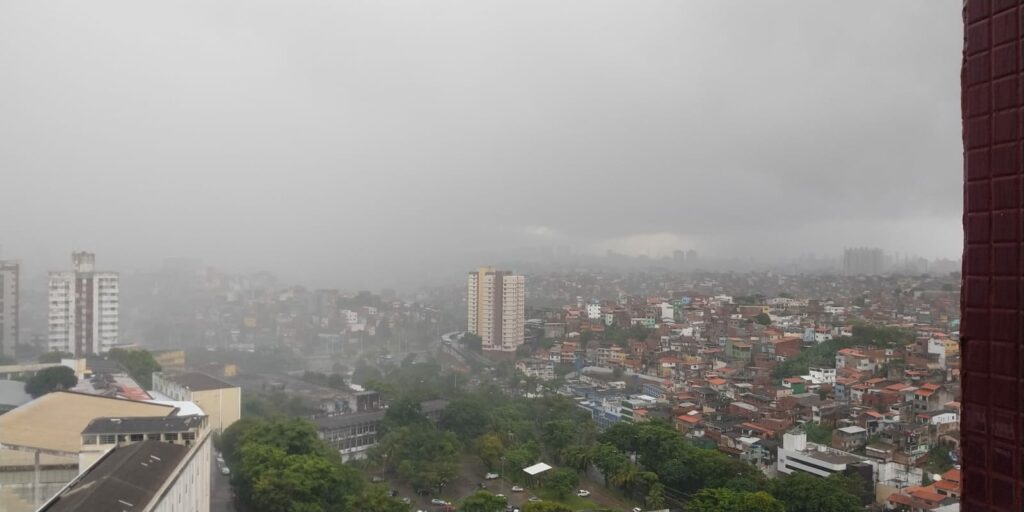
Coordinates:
x,y
497,308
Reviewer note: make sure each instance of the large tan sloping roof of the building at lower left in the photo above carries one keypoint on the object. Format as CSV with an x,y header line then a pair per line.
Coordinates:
x,y
55,422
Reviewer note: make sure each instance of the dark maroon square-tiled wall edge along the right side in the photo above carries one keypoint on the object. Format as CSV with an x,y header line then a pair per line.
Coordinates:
x,y
994,269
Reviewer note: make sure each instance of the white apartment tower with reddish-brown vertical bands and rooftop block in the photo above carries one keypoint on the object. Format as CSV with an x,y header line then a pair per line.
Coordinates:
x,y
83,315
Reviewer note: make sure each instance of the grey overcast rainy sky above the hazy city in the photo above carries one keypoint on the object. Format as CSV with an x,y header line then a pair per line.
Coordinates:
x,y
353,141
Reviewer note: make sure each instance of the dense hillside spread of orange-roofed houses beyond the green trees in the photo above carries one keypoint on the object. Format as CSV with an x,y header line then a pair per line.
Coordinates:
x,y
867,385
